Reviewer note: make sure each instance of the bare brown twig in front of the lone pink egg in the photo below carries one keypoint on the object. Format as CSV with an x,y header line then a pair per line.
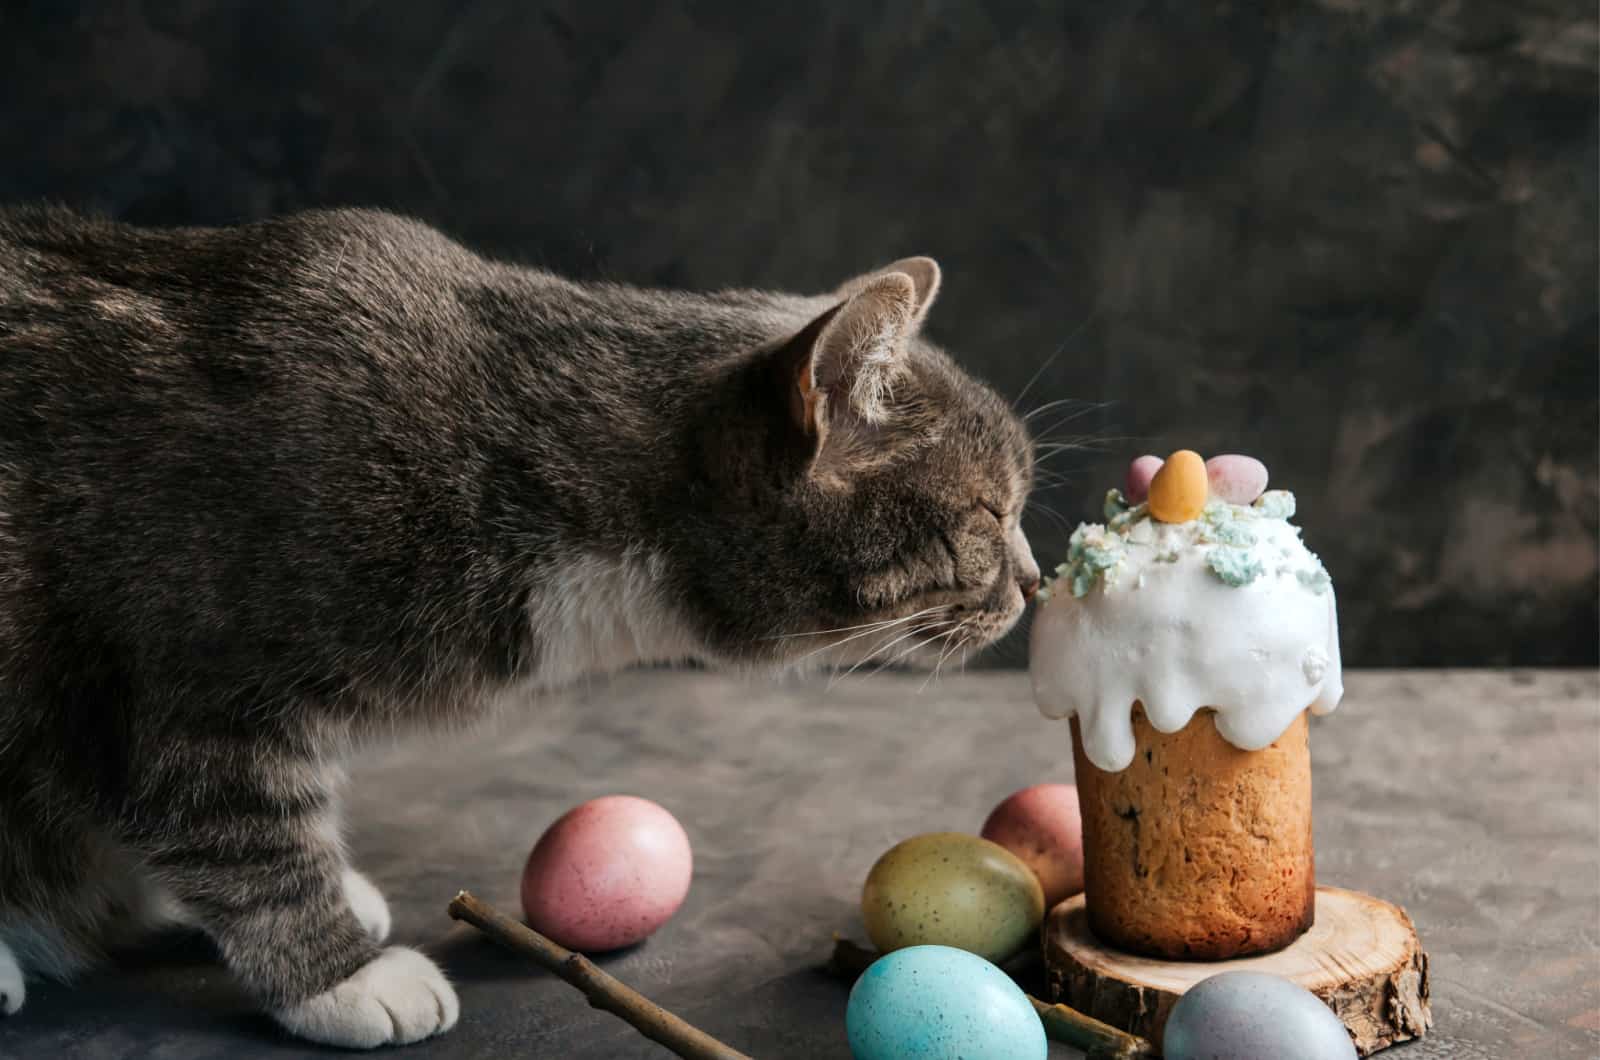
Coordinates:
x,y
602,990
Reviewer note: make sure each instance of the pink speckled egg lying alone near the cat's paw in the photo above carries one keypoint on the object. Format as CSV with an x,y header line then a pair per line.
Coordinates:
x,y
607,875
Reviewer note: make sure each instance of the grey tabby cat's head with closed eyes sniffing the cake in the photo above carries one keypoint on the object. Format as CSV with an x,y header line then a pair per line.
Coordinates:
x,y
855,496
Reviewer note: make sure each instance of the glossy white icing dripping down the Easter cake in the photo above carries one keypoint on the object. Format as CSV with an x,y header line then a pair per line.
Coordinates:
x,y
1145,612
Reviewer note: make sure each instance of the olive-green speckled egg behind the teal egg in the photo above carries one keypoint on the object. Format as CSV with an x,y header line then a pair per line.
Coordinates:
x,y
951,889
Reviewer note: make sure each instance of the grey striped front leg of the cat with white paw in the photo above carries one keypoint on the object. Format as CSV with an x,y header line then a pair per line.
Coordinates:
x,y
258,864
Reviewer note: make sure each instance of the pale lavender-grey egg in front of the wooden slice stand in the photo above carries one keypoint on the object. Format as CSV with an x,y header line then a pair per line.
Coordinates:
x,y
1249,1016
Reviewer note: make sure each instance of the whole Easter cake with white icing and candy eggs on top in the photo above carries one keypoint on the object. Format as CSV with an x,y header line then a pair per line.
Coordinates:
x,y
1188,636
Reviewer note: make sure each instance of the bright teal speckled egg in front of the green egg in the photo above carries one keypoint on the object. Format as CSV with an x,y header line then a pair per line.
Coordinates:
x,y
938,1003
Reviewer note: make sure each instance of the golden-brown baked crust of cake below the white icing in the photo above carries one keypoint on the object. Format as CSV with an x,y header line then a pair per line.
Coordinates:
x,y
1199,851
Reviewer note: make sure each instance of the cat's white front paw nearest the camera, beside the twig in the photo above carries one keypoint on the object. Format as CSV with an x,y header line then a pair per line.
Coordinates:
x,y
399,997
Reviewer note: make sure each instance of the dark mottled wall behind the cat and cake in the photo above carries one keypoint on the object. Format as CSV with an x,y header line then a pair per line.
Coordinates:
x,y
1354,238
